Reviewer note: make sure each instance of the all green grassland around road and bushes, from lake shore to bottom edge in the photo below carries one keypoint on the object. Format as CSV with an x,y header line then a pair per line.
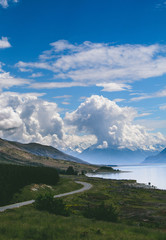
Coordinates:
x,y
142,215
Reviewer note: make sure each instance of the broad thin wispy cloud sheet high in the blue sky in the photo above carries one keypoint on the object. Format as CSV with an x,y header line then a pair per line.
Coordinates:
x,y
99,64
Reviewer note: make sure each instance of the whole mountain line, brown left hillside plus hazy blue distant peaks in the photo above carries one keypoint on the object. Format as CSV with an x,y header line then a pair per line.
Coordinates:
x,y
38,154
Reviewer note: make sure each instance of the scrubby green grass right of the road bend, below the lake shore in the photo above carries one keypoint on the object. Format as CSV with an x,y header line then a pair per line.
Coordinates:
x,y
143,207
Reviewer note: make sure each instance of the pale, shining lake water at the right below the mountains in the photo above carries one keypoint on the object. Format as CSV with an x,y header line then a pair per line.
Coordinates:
x,y
155,174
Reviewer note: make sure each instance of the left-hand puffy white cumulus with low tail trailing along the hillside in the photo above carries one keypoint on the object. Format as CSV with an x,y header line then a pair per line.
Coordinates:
x,y
27,118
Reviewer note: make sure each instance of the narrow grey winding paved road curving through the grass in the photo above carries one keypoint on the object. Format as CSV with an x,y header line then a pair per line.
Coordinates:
x,y
86,186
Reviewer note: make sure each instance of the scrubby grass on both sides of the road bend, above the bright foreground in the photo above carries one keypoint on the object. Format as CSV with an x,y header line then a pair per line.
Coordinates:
x,y
136,207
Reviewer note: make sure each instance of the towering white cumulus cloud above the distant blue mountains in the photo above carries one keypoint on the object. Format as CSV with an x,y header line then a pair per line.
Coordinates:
x,y
113,125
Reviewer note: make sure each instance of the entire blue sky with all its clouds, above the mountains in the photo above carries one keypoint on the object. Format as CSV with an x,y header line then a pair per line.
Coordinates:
x,y
80,74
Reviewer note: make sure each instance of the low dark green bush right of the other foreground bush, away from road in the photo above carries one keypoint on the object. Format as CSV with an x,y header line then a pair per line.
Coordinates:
x,y
101,212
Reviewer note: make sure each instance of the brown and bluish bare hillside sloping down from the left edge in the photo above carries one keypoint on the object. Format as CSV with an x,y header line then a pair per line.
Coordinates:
x,y
37,154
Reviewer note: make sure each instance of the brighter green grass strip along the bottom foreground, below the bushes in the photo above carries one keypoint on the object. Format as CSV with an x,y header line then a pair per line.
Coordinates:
x,y
29,224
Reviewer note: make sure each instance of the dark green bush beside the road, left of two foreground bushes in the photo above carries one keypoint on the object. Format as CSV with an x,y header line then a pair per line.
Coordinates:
x,y
48,203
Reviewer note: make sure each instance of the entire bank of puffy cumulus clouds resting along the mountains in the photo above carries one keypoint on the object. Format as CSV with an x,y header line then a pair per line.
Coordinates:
x,y
97,121
